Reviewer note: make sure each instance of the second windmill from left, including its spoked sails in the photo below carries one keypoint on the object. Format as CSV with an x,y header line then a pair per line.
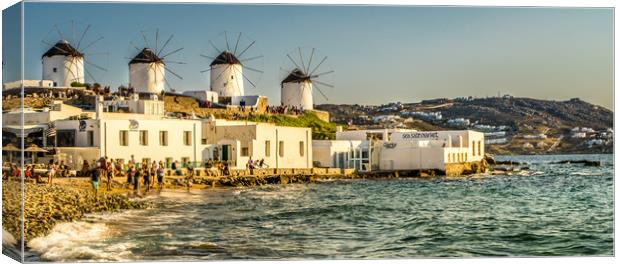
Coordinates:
x,y
147,69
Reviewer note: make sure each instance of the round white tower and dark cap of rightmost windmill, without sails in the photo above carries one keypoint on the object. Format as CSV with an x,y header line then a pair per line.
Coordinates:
x,y
296,90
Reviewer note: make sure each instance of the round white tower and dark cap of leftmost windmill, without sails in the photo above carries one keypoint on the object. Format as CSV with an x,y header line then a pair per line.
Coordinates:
x,y
63,64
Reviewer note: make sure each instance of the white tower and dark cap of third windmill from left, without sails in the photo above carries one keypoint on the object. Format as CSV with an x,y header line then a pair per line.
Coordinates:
x,y
227,75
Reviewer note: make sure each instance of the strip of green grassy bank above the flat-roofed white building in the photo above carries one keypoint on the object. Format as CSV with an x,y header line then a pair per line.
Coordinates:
x,y
320,128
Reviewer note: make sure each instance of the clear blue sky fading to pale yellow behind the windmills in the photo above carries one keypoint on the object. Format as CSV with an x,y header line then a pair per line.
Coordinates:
x,y
380,54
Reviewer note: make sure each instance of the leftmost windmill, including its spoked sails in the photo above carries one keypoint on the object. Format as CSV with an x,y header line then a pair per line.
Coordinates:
x,y
67,52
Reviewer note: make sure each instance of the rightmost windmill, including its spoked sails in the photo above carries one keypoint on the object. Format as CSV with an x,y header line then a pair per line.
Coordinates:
x,y
301,76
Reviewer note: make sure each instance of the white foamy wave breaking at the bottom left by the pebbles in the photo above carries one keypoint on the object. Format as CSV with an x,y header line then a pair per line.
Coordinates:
x,y
79,241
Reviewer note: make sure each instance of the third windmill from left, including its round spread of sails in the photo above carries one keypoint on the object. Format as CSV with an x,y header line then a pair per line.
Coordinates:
x,y
230,55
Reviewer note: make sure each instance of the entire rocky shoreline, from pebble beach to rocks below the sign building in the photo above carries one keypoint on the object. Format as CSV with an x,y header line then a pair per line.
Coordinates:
x,y
70,198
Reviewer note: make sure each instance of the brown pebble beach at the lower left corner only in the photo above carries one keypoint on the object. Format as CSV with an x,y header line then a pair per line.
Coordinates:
x,y
46,205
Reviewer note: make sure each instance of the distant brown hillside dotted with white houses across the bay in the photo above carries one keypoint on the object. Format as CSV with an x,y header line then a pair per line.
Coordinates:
x,y
514,125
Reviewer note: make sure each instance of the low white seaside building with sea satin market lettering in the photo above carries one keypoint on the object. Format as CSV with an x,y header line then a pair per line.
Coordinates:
x,y
399,149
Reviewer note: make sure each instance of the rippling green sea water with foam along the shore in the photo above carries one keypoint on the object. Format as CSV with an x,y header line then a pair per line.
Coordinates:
x,y
548,210
